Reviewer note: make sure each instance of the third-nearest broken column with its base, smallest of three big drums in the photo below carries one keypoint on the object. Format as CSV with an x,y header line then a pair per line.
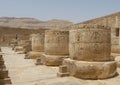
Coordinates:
x,y
37,45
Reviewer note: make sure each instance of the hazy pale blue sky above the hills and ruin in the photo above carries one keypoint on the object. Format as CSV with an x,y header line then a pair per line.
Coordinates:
x,y
72,10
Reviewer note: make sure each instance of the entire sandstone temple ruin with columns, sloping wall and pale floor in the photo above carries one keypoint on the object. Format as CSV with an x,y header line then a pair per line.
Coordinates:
x,y
78,53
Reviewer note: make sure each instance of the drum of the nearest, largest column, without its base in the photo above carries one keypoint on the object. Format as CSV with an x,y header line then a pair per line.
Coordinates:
x,y
91,43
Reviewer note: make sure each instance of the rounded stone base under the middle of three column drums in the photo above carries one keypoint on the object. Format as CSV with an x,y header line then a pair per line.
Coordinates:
x,y
52,60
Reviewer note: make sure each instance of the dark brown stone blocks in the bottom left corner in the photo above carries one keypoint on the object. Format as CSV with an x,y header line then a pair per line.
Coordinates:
x,y
4,79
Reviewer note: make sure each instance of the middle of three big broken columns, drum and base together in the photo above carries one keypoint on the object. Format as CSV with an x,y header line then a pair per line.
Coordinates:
x,y
56,47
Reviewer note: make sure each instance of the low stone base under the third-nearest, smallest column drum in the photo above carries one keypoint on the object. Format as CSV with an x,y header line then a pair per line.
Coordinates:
x,y
33,55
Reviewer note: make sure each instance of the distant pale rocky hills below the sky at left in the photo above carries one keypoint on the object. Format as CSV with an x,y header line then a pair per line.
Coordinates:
x,y
32,23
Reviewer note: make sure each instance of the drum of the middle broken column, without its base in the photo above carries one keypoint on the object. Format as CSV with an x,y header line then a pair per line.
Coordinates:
x,y
56,42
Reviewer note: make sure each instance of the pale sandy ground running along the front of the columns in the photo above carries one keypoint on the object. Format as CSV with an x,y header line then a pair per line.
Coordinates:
x,y
25,72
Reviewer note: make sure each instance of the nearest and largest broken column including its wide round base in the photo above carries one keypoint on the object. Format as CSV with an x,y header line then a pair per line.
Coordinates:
x,y
90,49
